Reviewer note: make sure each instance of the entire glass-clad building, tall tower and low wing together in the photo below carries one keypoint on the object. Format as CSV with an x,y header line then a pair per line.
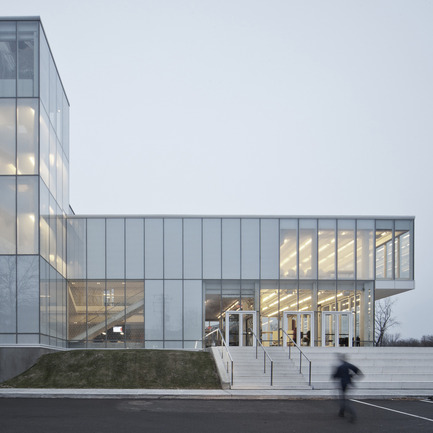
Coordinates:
x,y
166,281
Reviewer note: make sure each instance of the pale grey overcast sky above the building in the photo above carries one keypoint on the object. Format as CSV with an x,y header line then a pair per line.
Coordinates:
x,y
251,107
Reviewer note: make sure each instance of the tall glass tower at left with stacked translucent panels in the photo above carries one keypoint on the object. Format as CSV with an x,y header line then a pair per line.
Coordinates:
x,y
34,200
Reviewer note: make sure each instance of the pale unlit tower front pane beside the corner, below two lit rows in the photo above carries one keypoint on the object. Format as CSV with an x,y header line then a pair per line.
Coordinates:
x,y
28,293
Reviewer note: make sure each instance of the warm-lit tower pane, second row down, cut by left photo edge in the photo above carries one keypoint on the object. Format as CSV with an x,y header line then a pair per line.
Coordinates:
x,y
7,136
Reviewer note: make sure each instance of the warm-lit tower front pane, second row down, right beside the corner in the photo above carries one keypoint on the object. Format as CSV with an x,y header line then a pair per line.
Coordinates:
x,y
27,138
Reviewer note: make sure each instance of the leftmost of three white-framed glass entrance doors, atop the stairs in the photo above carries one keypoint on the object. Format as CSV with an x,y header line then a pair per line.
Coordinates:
x,y
238,326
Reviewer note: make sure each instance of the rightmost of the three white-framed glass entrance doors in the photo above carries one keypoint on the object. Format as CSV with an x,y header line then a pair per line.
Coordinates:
x,y
337,328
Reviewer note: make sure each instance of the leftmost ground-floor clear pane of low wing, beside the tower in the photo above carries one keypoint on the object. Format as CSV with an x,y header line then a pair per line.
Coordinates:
x,y
77,310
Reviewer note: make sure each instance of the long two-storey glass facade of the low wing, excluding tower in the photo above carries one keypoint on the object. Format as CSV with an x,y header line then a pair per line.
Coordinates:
x,y
167,281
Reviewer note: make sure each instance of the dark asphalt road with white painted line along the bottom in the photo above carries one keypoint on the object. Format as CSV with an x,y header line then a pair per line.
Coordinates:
x,y
179,416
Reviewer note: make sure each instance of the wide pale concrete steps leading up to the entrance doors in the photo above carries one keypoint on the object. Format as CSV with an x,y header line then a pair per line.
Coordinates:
x,y
388,368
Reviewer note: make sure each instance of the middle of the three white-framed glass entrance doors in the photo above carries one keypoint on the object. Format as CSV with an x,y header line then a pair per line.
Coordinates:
x,y
299,326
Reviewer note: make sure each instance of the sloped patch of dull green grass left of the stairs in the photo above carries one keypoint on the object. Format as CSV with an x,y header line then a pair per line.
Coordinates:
x,y
128,369
